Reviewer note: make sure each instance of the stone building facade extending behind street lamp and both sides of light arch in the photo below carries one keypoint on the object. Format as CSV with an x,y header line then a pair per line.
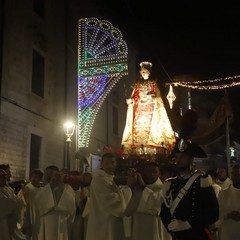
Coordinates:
x,y
38,85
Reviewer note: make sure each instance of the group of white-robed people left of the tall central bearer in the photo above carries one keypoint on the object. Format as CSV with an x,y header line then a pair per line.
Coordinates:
x,y
50,205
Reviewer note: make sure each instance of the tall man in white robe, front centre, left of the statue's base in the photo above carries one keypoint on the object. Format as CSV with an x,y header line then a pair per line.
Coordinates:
x,y
107,203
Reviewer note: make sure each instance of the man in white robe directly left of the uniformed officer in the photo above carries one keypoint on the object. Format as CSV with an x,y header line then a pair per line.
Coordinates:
x,y
146,222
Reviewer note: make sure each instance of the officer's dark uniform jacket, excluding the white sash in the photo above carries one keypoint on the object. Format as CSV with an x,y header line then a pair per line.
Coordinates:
x,y
199,206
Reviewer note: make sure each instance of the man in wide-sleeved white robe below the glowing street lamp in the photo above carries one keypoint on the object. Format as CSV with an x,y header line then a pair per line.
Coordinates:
x,y
57,208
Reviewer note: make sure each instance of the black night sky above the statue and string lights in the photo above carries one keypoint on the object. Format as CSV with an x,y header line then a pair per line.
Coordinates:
x,y
186,38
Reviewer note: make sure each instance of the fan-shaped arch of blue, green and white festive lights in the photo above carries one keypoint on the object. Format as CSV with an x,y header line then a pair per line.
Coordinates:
x,y
102,61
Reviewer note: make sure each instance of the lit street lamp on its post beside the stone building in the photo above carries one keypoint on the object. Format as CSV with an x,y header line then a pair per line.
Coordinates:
x,y
69,128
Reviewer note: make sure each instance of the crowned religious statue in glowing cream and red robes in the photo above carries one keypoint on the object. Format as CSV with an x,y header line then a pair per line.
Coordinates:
x,y
148,127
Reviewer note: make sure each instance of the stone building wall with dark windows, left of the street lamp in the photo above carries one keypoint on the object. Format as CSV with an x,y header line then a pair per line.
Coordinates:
x,y
33,72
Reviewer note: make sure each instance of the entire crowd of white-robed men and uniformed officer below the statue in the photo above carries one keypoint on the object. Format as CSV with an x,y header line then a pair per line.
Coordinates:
x,y
153,202
